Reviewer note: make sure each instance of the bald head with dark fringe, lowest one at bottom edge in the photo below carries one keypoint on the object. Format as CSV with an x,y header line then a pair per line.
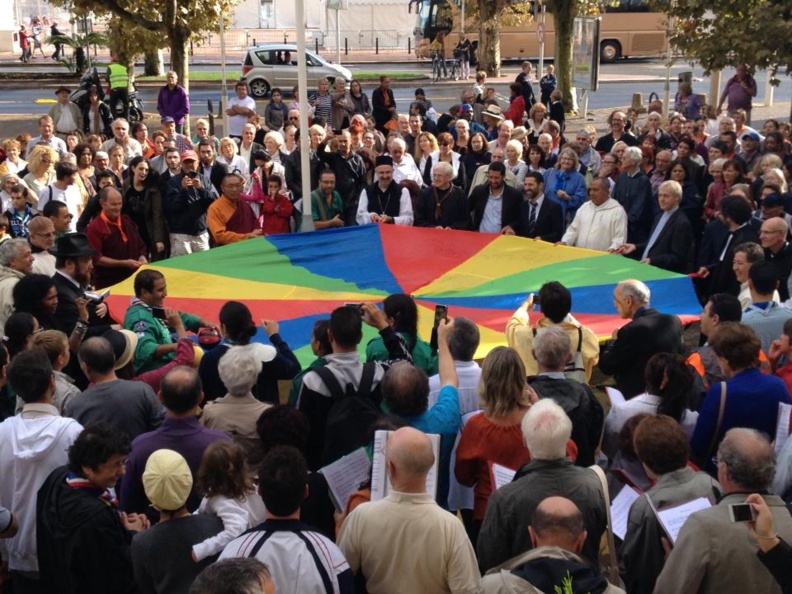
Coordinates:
x,y
557,521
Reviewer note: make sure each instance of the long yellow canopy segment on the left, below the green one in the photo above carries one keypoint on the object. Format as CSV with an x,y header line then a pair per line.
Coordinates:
x,y
189,284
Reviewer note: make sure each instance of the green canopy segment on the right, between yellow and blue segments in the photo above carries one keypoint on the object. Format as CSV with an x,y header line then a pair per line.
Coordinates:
x,y
596,270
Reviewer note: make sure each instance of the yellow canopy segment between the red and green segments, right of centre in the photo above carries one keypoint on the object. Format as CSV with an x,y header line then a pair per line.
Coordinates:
x,y
503,257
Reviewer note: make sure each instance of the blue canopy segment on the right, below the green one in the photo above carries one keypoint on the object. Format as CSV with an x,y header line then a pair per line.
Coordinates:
x,y
672,296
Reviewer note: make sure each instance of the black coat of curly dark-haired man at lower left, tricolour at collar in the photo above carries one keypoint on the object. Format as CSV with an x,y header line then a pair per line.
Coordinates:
x,y
81,543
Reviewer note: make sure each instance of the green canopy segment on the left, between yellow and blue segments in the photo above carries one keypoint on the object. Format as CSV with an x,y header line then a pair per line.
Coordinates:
x,y
259,261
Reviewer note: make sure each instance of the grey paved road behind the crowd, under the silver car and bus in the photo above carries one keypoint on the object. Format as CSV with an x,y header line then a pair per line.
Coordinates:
x,y
620,81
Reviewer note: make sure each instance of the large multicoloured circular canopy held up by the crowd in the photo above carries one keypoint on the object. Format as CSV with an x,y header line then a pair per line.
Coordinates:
x,y
300,278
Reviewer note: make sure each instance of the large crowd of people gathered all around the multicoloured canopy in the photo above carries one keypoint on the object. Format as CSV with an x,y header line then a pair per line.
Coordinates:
x,y
156,451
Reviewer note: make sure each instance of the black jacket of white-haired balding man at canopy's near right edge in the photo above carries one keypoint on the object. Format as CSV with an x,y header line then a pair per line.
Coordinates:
x,y
650,332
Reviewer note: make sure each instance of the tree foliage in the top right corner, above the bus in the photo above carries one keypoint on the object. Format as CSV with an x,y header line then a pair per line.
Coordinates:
x,y
756,32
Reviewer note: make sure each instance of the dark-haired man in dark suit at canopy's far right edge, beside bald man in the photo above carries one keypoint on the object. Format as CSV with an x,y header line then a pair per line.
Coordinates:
x,y
718,276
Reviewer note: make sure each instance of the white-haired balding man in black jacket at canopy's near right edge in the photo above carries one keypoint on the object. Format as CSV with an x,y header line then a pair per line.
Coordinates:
x,y
650,332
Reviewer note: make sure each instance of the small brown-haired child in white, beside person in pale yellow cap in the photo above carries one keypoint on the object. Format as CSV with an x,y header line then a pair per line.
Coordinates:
x,y
229,494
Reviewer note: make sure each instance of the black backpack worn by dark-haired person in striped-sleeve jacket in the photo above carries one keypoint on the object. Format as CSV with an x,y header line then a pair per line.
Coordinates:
x,y
352,413
